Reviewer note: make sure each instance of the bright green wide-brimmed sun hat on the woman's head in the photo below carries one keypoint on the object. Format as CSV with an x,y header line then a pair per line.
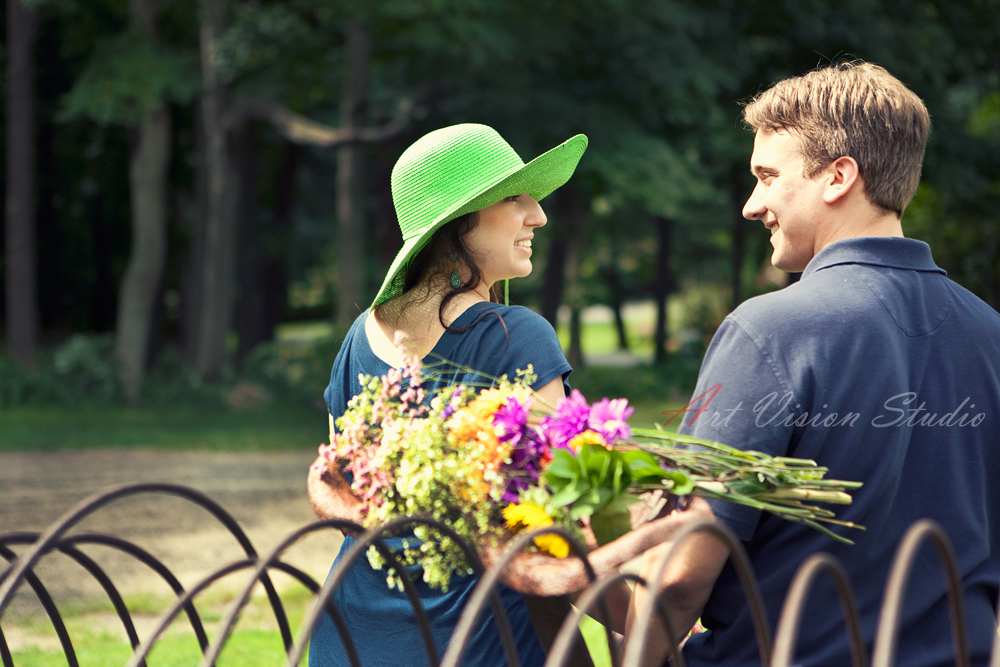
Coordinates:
x,y
458,170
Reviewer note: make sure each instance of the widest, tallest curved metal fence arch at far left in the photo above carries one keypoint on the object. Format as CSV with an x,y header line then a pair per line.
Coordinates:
x,y
90,504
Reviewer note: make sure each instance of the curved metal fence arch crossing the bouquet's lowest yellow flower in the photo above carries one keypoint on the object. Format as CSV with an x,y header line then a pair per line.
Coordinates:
x,y
486,588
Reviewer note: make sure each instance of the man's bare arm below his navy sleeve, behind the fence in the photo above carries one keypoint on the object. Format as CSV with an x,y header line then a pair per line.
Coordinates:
x,y
686,584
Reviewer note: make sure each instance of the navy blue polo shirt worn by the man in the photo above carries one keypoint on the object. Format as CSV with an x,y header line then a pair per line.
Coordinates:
x,y
879,367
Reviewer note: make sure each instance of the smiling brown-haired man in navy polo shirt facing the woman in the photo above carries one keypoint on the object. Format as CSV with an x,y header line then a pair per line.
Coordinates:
x,y
873,364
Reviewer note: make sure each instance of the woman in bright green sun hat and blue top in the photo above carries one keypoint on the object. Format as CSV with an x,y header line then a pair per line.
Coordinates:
x,y
468,210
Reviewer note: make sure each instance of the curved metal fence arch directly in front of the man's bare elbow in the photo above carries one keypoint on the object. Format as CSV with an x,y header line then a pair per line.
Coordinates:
x,y
741,562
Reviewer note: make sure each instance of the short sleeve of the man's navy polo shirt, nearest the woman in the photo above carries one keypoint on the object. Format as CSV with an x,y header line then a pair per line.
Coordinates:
x,y
742,400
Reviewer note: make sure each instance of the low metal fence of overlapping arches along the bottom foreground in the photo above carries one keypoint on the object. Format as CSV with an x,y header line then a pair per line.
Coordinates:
x,y
58,537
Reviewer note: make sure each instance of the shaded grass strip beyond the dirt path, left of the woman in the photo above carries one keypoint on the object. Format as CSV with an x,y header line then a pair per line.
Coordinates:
x,y
279,427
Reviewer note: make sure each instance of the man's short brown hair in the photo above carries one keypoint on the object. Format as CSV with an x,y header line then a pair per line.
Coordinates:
x,y
853,109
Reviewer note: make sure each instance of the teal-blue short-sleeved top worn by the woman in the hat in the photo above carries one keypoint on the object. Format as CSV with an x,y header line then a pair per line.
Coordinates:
x,y
381,620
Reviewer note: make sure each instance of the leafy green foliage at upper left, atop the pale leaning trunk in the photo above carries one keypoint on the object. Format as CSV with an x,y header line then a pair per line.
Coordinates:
x,y
127,77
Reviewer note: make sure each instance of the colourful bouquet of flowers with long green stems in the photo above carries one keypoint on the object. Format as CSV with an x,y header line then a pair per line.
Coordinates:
x,y
487,465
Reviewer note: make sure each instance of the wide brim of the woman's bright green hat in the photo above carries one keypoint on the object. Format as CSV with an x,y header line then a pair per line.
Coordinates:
x,y
539,178
